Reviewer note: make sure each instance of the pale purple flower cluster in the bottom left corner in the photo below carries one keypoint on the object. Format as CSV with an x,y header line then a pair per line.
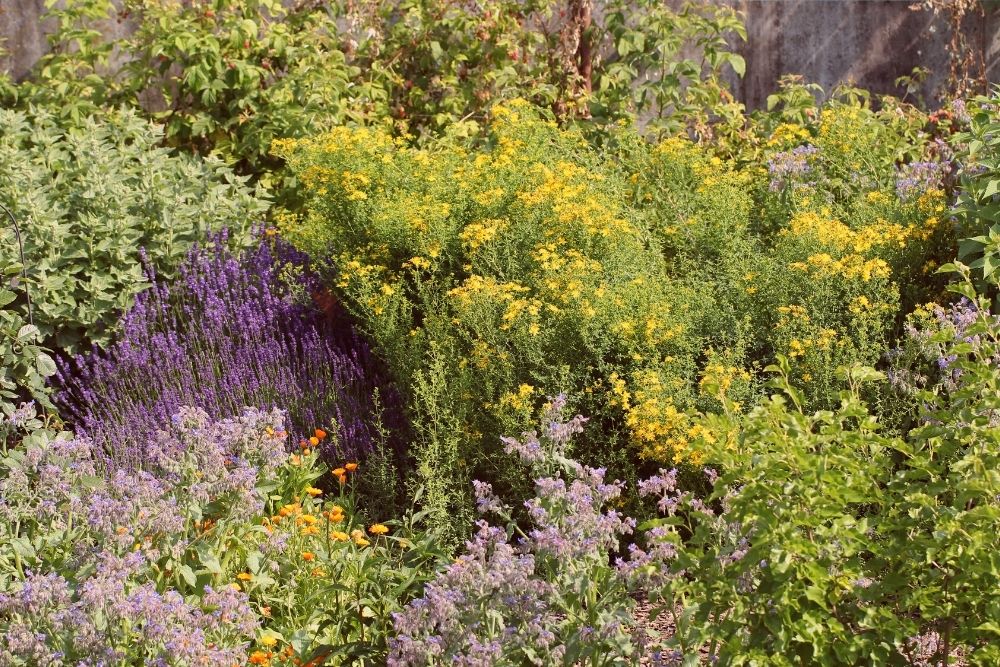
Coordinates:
x,y
106,618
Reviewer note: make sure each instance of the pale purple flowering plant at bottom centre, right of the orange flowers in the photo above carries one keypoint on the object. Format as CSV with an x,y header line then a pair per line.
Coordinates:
x,y
550,597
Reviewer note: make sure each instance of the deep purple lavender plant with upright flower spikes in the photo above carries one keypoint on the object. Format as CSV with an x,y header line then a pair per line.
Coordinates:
x,y
231,332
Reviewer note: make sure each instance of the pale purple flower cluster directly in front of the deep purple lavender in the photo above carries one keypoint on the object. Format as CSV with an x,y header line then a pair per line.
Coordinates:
x,y
197,461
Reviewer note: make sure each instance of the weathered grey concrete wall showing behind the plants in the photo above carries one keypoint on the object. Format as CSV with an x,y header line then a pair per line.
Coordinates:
x,y
867,42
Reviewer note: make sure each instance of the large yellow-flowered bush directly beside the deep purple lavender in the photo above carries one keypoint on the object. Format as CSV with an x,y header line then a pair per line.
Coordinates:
x,y
492,278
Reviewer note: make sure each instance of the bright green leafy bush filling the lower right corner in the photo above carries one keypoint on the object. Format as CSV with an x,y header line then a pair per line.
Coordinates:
x,y
829,542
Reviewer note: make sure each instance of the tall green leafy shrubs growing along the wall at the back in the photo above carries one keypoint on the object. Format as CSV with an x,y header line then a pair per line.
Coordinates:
x,y
226,78
